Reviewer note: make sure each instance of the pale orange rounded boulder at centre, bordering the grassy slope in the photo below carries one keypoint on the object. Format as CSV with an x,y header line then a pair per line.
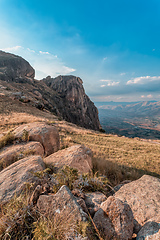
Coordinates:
x,y
76,156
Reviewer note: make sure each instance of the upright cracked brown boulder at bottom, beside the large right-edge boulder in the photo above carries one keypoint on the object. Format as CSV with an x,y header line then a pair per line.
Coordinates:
x,y
114,220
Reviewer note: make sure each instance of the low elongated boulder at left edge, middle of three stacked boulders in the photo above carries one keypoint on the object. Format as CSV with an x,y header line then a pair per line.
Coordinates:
x,y
11,154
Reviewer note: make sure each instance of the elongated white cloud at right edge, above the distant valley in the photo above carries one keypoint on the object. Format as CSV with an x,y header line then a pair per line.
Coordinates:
x,y
143,80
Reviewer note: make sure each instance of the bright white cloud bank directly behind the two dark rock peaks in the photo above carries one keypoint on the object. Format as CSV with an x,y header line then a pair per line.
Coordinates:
x,y
44,63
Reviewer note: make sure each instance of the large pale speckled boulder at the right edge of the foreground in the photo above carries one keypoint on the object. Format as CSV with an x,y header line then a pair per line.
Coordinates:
x,y
143,197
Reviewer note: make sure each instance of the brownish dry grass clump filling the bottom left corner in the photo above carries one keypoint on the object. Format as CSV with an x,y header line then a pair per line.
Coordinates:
x,y
16,218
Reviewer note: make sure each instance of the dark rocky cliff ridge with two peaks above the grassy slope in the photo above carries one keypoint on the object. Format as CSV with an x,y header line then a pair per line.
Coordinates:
x,y
63,95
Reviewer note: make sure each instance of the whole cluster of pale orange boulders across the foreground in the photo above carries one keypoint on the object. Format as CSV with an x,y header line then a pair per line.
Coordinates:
x,y
133,208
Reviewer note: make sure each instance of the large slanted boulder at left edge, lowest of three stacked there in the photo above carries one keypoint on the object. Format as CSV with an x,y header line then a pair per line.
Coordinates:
x,y
14,177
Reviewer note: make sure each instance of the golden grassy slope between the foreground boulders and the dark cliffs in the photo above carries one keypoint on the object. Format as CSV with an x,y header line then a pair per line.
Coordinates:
x,y
119,158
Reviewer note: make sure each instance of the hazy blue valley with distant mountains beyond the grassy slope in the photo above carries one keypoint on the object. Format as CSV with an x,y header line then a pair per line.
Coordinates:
x,y
140,119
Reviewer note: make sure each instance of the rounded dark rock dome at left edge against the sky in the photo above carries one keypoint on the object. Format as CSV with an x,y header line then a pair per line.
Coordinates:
x,y
12,67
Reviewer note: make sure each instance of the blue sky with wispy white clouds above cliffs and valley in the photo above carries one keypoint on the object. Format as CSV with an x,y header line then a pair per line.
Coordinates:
x,y
113,46
